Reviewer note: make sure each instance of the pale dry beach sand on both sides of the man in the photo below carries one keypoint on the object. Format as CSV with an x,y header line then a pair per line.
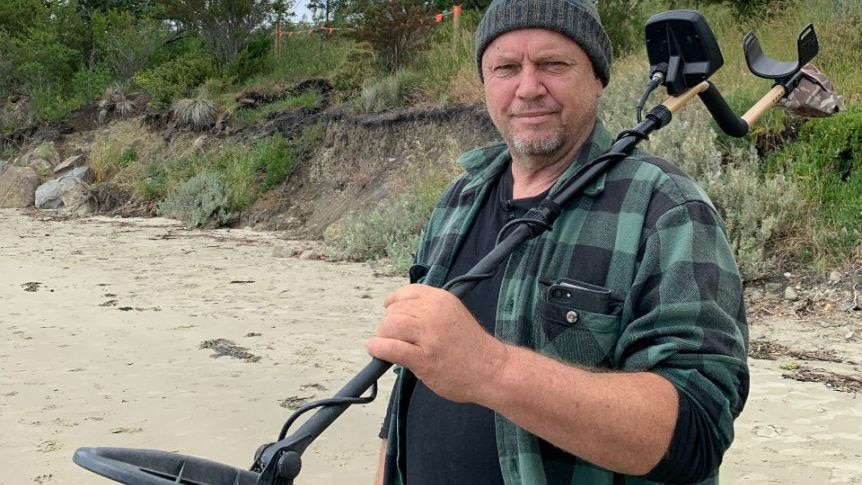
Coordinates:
x,y
102,325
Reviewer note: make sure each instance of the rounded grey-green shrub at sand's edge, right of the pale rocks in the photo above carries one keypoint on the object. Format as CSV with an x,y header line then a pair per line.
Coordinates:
x,y
198,201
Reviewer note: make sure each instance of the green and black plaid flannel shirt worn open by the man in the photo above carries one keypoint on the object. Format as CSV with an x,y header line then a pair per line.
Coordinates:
x,y
646,232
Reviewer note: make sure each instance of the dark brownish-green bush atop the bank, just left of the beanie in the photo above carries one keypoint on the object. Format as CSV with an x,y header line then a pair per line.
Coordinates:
x,y
394,28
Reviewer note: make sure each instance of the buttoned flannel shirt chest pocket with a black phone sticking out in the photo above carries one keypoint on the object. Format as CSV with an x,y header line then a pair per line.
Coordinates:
x,y
580,323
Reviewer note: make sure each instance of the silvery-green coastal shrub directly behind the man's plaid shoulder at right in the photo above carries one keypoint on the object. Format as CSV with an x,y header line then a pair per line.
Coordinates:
x,y
758,212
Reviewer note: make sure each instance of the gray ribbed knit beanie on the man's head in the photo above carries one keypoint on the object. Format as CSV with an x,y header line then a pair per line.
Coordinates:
x,y
576,19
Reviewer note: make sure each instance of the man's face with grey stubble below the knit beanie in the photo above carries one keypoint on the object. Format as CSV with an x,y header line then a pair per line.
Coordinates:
x,y
541,91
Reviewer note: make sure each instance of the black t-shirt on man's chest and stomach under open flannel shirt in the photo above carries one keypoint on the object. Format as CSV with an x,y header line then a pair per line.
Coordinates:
x,y
455,443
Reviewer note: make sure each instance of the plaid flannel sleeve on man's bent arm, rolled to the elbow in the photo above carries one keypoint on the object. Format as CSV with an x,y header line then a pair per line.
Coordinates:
x,y
687,323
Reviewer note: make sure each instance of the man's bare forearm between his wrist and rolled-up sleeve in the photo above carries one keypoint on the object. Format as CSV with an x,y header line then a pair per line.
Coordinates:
x,y
620,421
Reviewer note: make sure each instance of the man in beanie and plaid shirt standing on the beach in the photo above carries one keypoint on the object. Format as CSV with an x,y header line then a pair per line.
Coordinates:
x,y
610,350
